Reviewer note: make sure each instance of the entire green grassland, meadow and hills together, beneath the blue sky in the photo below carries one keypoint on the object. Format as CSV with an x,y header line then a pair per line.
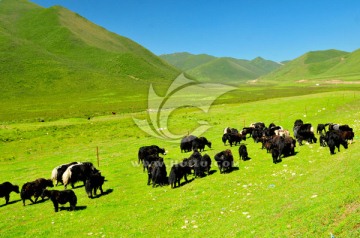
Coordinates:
x,y
59,68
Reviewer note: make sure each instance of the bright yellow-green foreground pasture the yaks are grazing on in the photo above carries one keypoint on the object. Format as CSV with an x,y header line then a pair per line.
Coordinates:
x,y
311,194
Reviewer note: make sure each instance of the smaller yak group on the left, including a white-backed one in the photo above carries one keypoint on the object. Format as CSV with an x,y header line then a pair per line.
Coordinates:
x,y
67,174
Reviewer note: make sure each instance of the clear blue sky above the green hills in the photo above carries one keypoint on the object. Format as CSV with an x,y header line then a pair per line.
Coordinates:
x,y
273,29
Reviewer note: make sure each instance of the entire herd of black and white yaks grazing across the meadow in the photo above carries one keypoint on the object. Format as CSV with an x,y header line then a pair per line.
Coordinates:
x,y
274,139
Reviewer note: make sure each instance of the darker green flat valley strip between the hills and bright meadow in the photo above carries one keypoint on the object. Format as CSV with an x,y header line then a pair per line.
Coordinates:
x,y
120,99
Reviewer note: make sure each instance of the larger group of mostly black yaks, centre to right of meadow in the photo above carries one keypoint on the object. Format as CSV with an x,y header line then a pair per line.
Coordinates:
x,y
274,139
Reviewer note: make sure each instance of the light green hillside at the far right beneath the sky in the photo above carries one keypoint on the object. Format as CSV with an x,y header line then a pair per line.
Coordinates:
x,y
319,65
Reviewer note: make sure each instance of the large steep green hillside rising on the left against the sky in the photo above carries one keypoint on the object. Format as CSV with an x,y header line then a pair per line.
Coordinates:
x,y
52,51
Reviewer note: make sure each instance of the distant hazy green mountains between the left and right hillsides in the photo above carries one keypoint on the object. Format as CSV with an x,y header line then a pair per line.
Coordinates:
x,y
220,69
